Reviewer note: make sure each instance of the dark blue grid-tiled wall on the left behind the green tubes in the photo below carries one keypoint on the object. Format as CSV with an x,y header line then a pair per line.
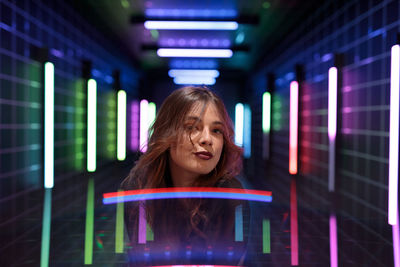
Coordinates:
x,y
70,39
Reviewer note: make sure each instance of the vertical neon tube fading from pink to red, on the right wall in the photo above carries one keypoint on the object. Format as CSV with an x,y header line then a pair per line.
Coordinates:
x,y
293,134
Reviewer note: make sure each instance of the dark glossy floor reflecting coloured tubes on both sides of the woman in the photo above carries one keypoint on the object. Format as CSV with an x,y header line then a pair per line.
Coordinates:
x,y
270,232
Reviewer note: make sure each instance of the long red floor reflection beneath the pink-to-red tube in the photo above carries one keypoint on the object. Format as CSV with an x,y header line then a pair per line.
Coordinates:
x,y
294,243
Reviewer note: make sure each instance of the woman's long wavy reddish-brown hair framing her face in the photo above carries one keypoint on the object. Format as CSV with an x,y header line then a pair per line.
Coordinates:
x,y
152,169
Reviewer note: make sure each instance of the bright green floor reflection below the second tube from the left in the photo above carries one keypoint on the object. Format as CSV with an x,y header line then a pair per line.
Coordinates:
x,y
89,223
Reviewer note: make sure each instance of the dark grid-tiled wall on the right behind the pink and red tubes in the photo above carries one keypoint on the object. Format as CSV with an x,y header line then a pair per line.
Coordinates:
x,y
364,32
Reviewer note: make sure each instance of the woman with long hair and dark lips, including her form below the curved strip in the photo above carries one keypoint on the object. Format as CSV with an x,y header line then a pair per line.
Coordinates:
x,y
191,145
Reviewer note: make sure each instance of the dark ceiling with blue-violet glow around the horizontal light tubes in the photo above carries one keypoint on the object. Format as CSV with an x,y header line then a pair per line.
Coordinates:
x,y
270,21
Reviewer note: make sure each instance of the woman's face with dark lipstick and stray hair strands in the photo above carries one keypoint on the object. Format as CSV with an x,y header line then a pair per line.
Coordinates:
x,y
201,155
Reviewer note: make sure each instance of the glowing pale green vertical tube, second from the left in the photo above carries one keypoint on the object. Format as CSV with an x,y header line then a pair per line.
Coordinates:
x,y
91,125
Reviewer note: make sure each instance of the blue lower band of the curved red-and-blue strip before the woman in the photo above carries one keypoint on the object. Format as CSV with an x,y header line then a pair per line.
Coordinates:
x,y
169,195
